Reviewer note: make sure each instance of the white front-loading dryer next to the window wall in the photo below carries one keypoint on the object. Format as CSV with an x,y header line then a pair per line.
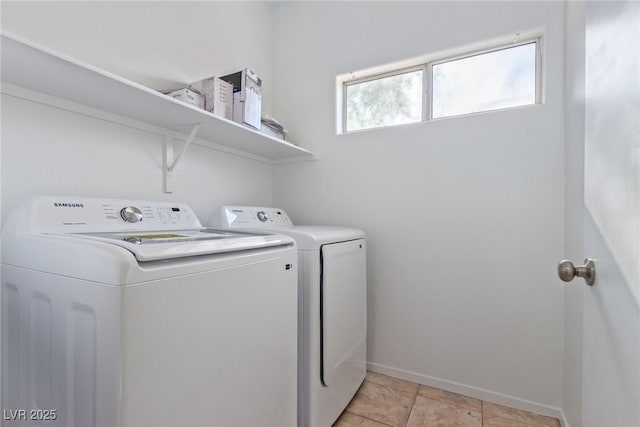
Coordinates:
x,y
333,308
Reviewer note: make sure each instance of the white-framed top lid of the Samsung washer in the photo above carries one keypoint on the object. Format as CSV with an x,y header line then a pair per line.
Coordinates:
x,y
167,244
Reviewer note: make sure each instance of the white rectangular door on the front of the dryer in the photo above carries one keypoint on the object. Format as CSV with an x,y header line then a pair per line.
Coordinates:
x,y
343,311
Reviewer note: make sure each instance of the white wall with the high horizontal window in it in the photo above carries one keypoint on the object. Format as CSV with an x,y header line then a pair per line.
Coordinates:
x,y
464,216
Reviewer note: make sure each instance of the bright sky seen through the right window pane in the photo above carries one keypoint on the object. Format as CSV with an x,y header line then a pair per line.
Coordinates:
x,y
490,81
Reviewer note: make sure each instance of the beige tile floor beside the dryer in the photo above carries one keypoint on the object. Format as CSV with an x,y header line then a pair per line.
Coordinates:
x,y
384,401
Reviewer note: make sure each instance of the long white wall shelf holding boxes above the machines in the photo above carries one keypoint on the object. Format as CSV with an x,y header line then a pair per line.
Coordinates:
x,y
47,72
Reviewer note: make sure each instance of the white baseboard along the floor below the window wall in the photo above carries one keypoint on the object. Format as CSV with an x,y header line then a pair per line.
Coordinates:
x,y
470,391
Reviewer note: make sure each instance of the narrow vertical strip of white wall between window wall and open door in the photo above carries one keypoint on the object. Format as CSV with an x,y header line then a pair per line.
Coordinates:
x,y
574,208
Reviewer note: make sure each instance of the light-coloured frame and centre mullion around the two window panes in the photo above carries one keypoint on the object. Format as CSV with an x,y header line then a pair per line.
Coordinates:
x,y
426,65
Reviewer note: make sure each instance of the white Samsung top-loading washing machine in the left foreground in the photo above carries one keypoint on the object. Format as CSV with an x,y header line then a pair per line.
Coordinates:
x,y
130,313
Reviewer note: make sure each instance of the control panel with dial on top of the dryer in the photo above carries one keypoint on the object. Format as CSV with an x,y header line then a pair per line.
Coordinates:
x,y
252,217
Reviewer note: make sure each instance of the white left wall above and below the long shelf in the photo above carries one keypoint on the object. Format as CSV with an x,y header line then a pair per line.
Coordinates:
x,y
47,150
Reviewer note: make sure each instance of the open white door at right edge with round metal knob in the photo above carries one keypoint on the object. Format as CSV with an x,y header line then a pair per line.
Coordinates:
x,y
611,311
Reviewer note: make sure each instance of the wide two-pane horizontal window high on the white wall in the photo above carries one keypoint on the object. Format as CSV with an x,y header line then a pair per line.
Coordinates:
x,y
497,78
